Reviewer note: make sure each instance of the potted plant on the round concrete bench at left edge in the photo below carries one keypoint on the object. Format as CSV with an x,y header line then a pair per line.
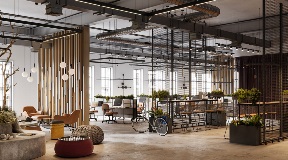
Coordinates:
x,y
7,117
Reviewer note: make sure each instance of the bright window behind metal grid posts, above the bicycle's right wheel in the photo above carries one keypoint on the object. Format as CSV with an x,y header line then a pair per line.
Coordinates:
x,y
159,80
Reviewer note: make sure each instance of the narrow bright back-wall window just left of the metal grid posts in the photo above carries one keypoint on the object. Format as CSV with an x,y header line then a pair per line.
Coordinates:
x,y
138,82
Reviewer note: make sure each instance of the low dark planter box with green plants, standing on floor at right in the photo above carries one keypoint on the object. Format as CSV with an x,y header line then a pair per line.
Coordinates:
x,y
246,131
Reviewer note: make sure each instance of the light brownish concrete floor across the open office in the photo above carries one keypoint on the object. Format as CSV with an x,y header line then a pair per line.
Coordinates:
x,y
121,142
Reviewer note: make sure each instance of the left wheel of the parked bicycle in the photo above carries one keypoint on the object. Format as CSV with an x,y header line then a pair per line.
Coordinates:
x,y
140,124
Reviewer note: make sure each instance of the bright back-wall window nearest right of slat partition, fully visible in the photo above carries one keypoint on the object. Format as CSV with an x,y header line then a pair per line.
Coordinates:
x,y
106,81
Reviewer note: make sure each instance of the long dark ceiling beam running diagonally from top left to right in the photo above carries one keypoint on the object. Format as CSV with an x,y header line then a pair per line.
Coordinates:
x,y
169,22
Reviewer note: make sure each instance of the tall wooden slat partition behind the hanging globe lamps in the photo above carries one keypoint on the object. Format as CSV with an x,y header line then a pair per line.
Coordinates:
x,y
57,96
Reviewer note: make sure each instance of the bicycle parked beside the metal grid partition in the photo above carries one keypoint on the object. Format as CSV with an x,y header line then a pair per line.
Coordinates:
x,y
141,125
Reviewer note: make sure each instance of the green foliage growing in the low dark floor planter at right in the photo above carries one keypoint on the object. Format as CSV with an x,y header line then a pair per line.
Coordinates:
x,y
249,121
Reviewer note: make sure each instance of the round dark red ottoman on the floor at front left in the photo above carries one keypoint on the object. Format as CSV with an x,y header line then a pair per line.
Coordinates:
x,y
73,147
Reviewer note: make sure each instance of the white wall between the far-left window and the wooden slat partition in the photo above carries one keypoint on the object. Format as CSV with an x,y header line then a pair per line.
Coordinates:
x,y
24,93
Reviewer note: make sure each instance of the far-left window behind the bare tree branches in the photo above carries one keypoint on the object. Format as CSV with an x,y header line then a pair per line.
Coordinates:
x,y
9,93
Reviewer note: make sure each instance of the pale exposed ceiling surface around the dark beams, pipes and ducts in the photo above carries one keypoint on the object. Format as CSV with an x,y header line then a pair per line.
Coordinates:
x,y
138,42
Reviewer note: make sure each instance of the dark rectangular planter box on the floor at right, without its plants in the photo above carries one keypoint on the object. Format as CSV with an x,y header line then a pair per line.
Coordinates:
x,y
248,135
